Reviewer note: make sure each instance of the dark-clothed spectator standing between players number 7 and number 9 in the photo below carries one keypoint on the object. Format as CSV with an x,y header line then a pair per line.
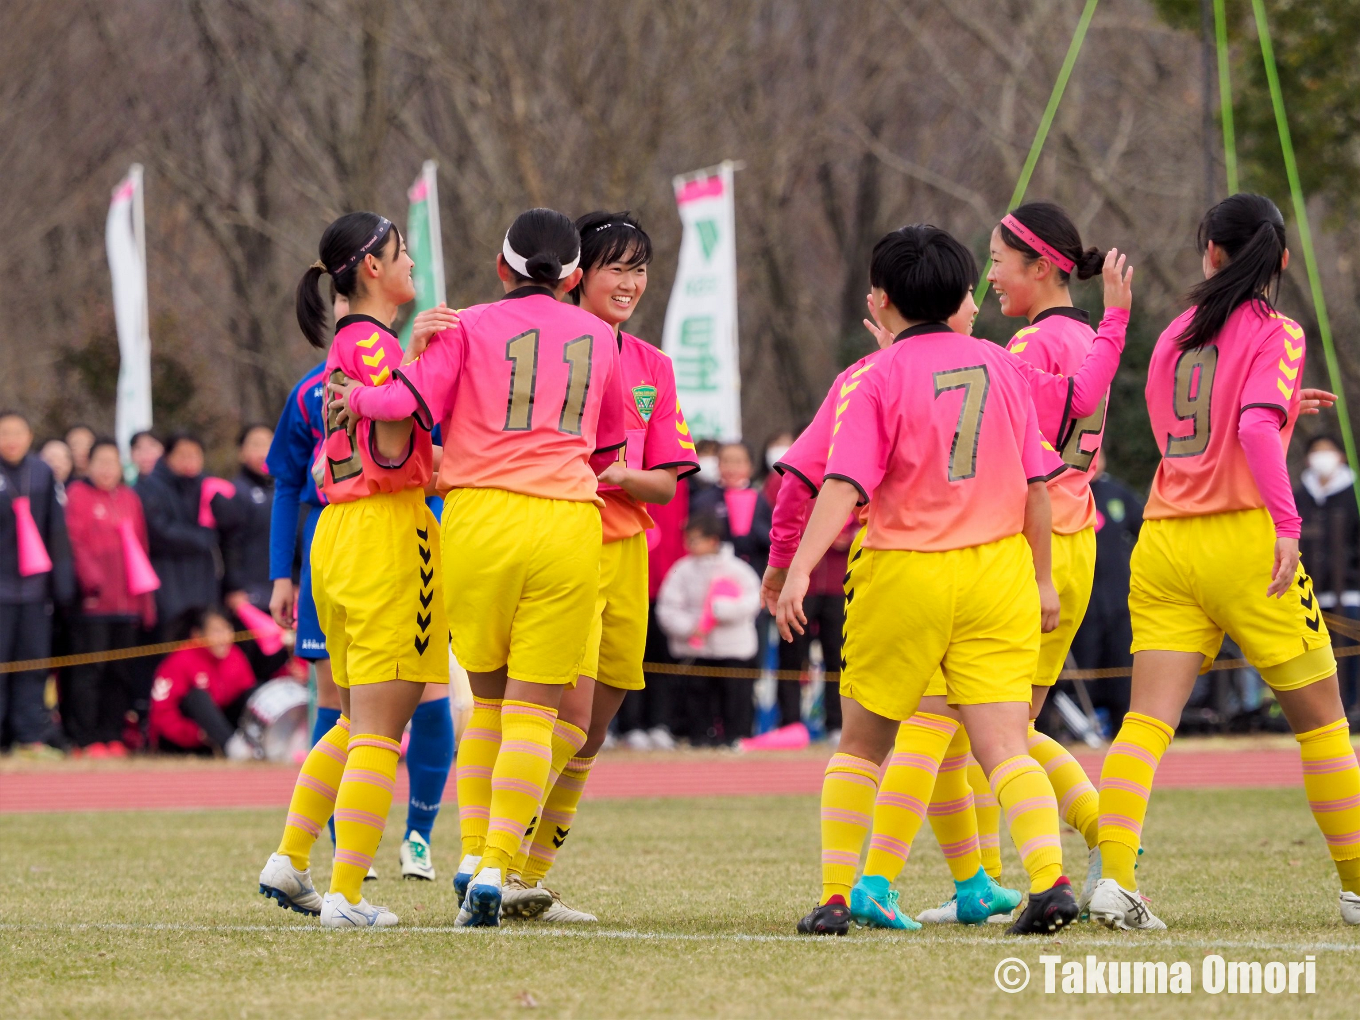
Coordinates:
x,y
1104,640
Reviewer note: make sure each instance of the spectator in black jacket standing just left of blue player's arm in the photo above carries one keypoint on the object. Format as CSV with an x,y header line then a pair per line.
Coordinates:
x,y
244,520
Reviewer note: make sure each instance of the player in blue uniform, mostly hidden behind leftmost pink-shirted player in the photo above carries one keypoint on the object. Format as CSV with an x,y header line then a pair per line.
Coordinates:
x,y
297,443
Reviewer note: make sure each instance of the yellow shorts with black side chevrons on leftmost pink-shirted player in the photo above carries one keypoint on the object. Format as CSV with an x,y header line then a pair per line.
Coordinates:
x,y
379,594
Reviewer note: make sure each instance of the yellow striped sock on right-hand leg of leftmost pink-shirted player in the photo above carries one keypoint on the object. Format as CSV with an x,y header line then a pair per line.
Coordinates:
x,y
362,807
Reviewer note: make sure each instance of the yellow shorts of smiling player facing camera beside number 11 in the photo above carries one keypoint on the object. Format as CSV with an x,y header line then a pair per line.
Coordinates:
x,y
619,634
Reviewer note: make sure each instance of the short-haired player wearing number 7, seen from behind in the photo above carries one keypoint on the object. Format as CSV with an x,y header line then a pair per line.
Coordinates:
x,y
940,437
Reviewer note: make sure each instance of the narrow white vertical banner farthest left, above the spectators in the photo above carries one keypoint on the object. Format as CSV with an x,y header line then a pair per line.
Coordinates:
x,y
127,248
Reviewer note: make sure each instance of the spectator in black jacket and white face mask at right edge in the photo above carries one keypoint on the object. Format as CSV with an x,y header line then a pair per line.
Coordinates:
x,y
1331,543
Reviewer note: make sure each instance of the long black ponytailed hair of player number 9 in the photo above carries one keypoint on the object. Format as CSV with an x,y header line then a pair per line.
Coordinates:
x,y
1251,232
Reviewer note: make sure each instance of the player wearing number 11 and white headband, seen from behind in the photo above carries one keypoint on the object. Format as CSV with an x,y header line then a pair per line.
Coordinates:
x,y
527,391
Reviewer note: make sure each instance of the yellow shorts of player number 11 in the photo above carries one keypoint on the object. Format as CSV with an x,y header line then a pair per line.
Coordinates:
x,y
522,577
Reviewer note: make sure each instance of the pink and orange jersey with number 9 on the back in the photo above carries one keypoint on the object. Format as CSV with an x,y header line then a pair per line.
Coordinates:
x,y
1195,402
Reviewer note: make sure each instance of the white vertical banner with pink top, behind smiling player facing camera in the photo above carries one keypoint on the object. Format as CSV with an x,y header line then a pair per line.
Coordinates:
x,y
701,331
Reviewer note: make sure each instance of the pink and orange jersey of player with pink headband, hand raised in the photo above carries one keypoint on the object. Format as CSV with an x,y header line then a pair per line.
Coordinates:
x,y
1057,343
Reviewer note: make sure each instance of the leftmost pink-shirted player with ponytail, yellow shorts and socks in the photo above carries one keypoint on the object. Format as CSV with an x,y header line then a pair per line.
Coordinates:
x,y
375,568
